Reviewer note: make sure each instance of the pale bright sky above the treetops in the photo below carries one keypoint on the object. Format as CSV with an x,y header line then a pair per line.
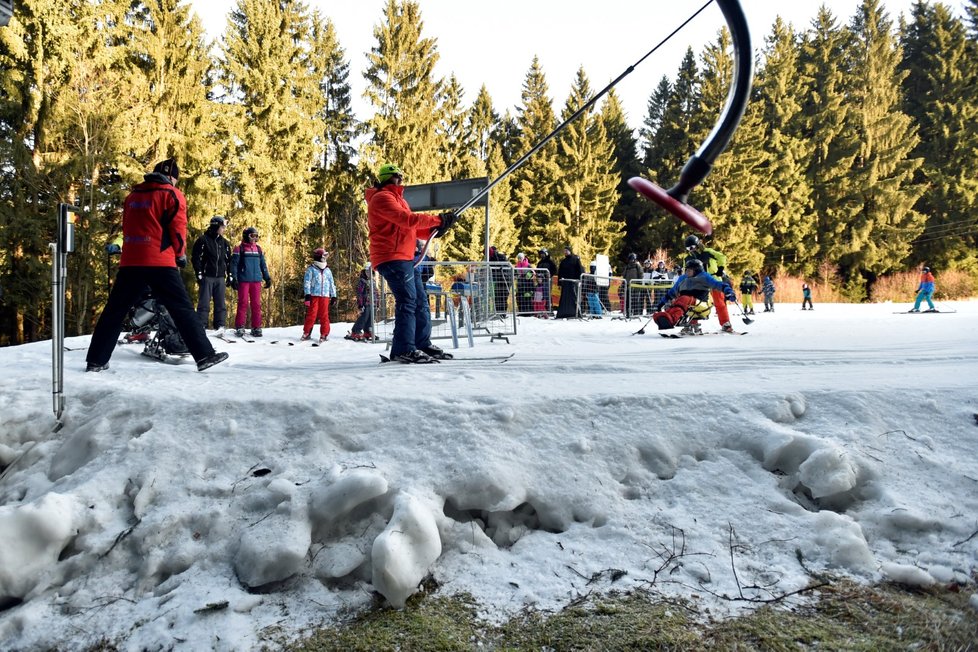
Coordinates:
x,y
481,44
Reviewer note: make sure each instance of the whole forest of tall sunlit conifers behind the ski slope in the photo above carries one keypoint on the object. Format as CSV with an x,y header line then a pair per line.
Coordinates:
x,y
856,157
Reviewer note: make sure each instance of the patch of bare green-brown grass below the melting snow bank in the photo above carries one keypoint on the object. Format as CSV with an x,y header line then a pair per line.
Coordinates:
x,y
843,616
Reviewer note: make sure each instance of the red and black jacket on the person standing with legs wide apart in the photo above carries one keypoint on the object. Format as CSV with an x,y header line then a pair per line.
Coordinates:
x,y
154,224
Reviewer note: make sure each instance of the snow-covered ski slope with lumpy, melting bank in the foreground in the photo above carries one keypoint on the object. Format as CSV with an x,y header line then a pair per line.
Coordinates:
x,y
187,510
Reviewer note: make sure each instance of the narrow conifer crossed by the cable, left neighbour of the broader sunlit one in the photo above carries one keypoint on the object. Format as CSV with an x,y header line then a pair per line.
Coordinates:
x,y
534,198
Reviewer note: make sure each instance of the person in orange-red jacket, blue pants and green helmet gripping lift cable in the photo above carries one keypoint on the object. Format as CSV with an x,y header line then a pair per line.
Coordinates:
x,y
394,230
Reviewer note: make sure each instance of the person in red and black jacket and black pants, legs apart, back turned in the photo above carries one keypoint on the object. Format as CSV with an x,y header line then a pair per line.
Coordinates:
x,y
154,244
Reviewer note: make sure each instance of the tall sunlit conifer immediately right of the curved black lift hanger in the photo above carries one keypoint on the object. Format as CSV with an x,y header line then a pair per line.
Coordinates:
x,y
786,228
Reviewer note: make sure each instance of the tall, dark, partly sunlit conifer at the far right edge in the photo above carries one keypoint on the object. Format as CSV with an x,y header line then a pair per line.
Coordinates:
x,y
941,99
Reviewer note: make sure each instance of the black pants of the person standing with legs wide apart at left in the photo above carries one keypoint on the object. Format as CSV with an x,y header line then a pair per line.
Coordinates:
x,y
168,289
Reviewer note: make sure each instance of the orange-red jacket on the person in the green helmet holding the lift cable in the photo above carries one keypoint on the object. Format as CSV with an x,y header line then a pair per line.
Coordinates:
x,y
394,229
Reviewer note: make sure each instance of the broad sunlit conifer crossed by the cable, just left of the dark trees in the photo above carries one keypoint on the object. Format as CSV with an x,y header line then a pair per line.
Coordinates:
x,y
587,183
